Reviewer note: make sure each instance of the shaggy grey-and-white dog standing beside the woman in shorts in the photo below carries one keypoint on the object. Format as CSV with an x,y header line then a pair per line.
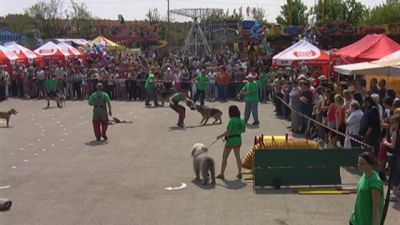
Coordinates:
x,y
203,164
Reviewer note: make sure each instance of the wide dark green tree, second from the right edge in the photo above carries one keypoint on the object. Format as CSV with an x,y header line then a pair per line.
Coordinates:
x,y
350,11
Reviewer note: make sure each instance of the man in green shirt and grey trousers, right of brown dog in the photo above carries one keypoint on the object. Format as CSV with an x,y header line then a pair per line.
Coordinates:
x,y
250,92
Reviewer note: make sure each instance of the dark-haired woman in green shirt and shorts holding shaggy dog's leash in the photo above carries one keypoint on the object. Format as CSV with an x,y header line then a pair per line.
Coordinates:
x,y
235,128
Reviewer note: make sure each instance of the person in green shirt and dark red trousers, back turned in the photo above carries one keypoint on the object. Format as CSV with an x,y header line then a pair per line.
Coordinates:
x,y
100,101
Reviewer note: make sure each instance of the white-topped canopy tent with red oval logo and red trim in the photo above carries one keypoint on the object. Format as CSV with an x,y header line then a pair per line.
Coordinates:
x,y
303,52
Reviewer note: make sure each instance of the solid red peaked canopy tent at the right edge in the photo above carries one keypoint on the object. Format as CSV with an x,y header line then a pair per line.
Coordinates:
x,y
371,47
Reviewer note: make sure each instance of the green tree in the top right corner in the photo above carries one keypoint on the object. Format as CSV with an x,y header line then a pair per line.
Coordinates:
x,y
384,14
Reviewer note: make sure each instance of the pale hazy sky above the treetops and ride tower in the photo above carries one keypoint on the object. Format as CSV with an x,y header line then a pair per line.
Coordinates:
x,y
137,9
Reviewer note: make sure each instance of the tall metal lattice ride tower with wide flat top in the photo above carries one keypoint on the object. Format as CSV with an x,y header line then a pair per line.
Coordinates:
x,y
195,41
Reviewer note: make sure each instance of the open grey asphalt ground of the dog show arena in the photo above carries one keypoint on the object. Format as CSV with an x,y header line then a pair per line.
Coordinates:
x,y
56,174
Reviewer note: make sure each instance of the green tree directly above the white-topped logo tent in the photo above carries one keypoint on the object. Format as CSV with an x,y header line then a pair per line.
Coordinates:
x,y
294,12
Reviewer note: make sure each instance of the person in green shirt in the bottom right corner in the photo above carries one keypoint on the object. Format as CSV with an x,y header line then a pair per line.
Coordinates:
x,y
369,200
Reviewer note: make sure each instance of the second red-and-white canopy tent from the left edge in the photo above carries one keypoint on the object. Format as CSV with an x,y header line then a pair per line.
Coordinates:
x,y
25,55
